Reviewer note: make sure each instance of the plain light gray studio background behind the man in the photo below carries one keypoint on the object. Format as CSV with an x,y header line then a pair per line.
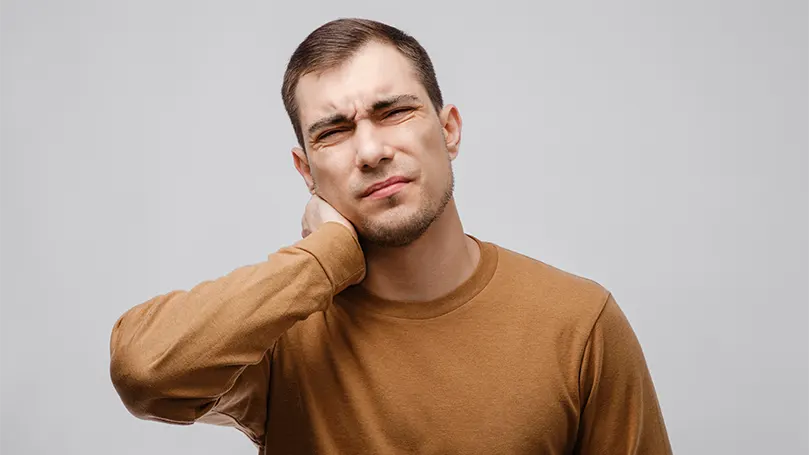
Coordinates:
x,y
657,148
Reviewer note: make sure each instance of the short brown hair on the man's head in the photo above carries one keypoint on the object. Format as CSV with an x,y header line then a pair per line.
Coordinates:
x,y
334,42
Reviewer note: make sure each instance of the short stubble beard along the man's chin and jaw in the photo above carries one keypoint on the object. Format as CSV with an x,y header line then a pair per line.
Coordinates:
x,y
403,232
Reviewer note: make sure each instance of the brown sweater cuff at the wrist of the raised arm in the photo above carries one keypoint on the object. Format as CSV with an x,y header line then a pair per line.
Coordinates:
x,y
338,252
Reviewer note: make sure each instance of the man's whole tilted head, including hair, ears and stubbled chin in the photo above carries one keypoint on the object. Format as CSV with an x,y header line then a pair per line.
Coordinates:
x,y
366,107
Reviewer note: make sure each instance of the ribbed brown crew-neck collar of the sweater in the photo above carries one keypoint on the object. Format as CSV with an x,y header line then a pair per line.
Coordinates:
x,y
358,300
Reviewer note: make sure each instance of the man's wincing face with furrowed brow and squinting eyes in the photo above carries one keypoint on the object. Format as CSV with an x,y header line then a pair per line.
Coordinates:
x,y
368,121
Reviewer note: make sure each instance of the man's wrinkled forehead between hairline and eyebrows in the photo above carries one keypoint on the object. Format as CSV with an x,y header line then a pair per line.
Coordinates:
x,y
376,71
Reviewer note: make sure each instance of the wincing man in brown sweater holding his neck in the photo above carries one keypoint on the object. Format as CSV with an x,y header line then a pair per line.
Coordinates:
x,y
386,328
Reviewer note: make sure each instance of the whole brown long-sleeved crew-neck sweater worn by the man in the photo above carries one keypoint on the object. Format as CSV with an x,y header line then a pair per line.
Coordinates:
x,y
521,358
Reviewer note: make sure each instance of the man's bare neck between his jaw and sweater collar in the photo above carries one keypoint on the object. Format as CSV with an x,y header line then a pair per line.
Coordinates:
x,y
434,265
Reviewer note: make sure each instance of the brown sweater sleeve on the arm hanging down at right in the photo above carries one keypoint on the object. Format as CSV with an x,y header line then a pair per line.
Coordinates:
x,y
620,412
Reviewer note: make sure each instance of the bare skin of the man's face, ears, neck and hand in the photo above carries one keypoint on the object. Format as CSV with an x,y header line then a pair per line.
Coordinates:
x,y
366,121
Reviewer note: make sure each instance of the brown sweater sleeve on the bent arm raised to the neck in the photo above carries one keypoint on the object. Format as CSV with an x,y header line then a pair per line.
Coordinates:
x,y
203,355
